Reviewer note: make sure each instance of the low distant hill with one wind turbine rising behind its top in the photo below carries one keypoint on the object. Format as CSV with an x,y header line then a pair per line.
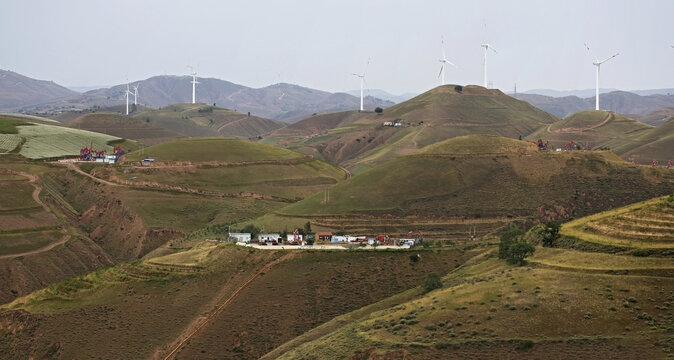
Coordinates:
x,y
198,120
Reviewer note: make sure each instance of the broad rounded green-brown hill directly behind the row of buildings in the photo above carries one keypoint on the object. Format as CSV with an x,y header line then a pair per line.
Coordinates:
x,y
484,178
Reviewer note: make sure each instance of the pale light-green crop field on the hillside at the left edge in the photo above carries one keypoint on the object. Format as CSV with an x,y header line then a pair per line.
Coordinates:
x,y
39,140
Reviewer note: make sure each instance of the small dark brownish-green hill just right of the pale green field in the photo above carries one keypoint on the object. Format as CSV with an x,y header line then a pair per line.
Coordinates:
x,y
124,127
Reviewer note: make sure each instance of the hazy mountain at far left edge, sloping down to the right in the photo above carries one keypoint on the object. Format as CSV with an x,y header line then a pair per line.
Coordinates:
x,y
18,91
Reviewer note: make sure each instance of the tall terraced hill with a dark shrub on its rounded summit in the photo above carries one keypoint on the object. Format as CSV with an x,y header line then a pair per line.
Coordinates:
x,y
360,141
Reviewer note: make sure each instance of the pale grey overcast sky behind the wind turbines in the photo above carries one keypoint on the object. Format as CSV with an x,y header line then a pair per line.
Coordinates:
x,y
319,44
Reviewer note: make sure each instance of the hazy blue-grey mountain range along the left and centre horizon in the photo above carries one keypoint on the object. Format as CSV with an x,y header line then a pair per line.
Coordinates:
x,y
285,102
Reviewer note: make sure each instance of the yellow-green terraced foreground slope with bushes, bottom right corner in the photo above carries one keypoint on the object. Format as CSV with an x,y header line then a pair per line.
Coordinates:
x,y
602,305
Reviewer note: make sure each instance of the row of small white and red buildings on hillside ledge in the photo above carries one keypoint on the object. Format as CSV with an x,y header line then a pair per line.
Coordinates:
x,y
323,237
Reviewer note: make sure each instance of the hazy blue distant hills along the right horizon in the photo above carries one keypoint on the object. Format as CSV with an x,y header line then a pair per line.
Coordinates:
x,y
621,102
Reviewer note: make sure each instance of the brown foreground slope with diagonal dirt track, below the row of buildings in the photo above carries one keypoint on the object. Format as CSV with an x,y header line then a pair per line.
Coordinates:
x,y
204,301
